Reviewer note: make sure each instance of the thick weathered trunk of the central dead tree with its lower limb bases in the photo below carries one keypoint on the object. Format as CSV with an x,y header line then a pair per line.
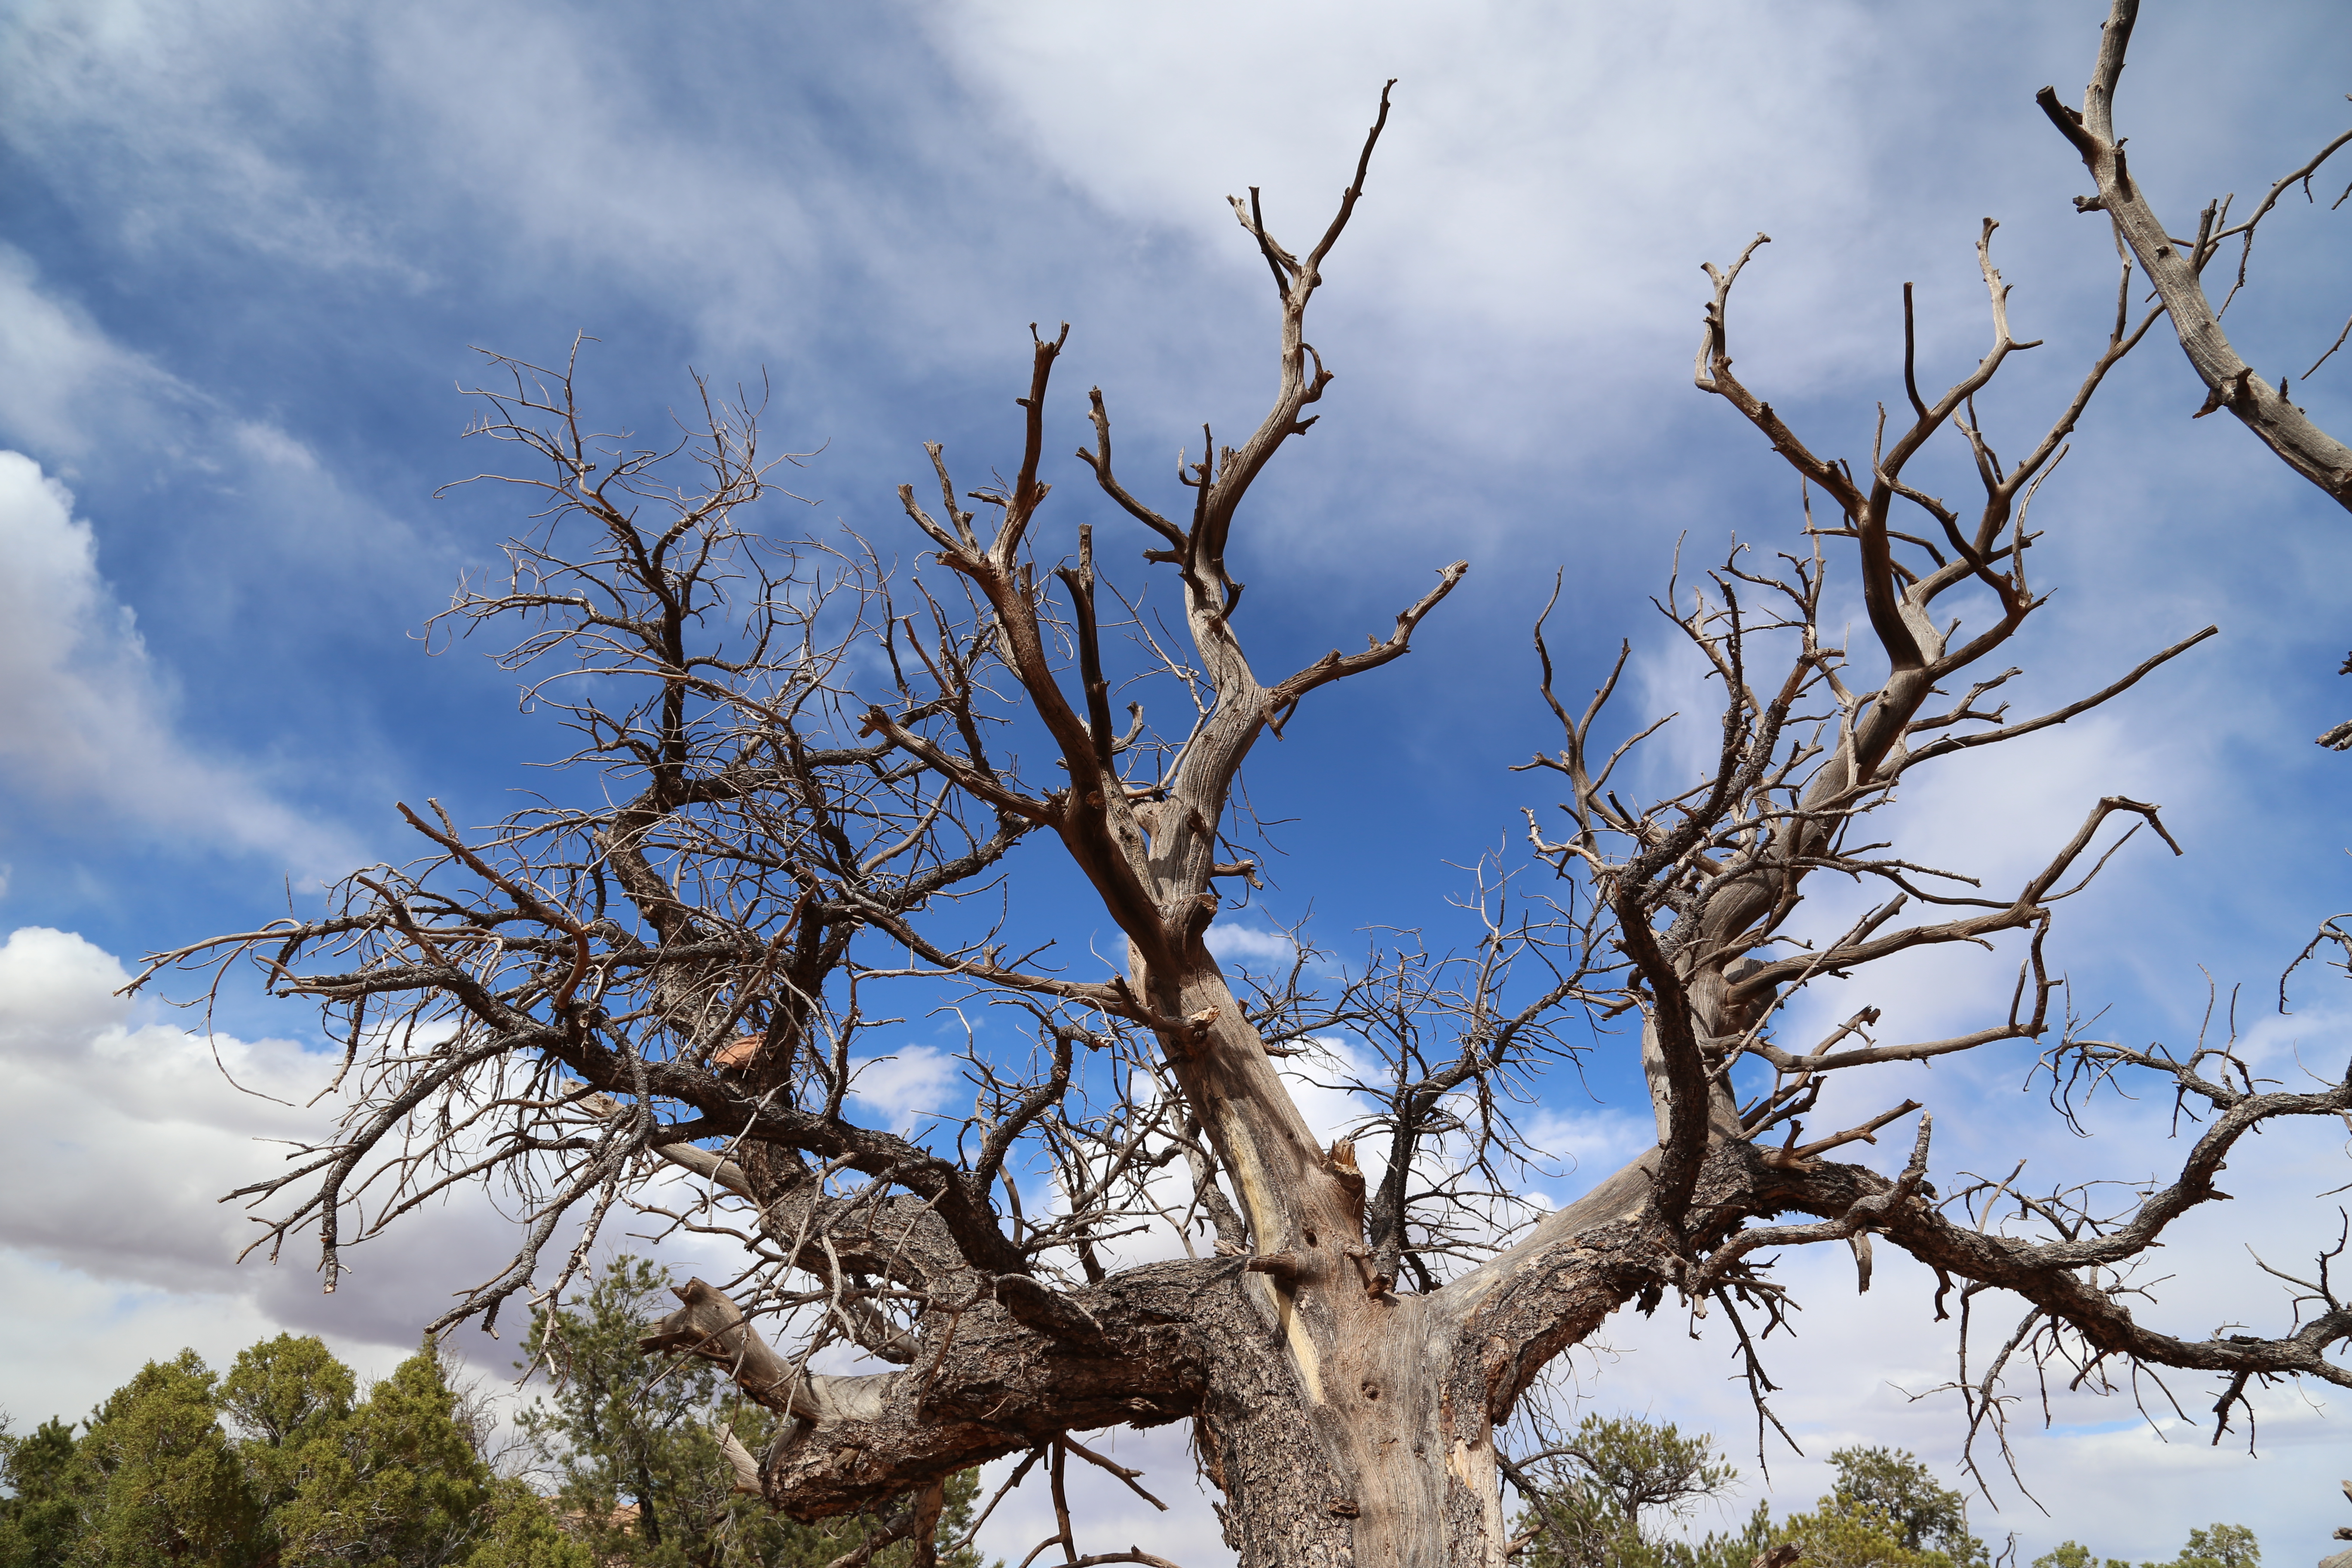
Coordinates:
x,y
1339,1423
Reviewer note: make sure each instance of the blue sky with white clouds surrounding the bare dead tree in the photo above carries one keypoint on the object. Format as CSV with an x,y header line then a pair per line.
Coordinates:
x,y
246,253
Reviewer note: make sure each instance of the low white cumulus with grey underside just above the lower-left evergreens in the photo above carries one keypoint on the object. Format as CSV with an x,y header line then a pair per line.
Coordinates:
x,y
123,1134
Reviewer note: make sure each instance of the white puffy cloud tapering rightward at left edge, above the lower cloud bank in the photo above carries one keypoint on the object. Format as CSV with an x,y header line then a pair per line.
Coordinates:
x,y
86,718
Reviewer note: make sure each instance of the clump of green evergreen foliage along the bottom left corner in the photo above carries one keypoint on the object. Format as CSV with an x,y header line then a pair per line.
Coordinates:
x,y
288,1463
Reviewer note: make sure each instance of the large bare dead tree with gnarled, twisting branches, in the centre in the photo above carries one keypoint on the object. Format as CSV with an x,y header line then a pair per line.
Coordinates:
x,y
806,796
